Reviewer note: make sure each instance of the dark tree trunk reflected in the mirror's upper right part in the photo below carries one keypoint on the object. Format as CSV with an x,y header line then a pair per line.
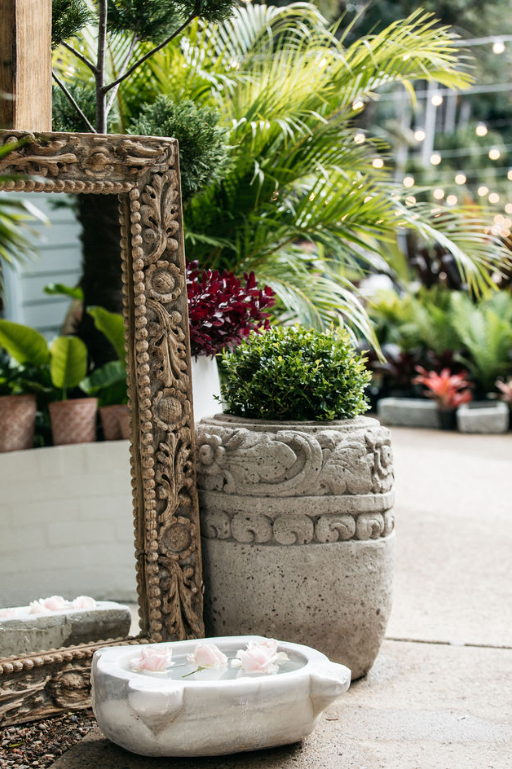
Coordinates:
x,y
101,269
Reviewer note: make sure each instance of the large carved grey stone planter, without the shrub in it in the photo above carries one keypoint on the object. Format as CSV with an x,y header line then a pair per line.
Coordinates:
x,y
297,529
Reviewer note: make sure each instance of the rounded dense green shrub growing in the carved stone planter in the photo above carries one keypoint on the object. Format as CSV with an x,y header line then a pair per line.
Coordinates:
x,y
295,373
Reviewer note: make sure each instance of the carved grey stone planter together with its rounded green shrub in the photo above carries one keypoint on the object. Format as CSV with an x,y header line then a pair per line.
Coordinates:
x,y
295,490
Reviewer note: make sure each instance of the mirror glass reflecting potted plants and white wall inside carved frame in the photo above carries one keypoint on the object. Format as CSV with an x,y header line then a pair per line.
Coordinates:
x,y
67,564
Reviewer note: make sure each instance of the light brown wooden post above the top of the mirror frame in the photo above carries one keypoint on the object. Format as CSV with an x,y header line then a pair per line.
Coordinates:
x,y
25,65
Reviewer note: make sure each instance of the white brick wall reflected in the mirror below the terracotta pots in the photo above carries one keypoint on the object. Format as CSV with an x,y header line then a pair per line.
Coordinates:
x,y
66,523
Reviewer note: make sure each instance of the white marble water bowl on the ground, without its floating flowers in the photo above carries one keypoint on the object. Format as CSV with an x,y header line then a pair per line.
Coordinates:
x,y
211,712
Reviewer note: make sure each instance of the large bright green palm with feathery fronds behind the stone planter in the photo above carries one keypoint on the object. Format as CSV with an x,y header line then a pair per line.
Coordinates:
x,y
302,201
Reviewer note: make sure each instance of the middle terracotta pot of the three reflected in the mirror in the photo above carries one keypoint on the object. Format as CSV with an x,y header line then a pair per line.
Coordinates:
x,y
73,421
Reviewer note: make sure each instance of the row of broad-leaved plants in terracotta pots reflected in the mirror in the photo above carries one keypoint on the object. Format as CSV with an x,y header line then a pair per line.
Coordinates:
x,y
53,371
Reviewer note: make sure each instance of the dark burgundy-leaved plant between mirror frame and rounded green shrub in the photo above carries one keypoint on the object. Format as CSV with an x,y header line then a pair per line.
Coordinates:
x,y
223,309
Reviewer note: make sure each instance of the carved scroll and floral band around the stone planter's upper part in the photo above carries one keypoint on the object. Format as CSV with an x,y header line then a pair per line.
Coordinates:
x,y
350,478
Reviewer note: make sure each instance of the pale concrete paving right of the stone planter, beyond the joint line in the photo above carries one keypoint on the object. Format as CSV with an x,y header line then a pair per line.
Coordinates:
x,y
454,537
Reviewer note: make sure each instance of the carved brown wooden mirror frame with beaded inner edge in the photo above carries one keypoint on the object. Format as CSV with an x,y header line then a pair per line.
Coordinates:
x,y
144,173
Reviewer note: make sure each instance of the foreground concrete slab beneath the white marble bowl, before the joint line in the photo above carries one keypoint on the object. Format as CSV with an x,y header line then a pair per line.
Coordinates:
x,y
423,706
